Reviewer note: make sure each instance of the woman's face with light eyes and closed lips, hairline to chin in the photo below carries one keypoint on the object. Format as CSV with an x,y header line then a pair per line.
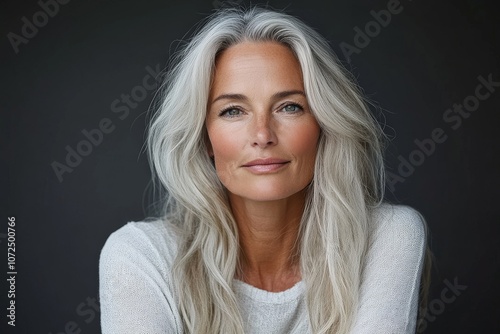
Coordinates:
x,y
262,134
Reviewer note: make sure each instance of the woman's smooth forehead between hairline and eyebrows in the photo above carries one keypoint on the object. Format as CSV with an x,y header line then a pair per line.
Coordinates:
x,y
255,64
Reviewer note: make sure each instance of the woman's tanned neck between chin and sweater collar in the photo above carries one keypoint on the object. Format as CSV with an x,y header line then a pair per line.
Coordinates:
x,y
268,235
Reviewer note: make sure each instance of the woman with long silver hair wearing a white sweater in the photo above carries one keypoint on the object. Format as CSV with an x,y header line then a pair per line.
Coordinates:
x,y
274,221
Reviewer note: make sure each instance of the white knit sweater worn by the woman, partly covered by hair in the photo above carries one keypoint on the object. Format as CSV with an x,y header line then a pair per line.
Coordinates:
x,y
136,291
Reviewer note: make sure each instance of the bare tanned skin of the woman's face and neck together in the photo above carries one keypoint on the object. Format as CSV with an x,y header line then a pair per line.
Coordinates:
x,y
258,109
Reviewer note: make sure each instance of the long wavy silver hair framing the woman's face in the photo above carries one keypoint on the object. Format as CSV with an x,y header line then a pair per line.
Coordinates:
x,y
348,178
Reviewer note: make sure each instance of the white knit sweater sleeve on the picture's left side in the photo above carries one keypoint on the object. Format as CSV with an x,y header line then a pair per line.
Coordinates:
x,y
135,293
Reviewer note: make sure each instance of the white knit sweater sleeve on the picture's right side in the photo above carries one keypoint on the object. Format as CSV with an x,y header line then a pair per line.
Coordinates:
x,y
391,277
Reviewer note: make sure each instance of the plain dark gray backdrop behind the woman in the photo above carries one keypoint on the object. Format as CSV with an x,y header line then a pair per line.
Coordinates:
x,y
65,78
